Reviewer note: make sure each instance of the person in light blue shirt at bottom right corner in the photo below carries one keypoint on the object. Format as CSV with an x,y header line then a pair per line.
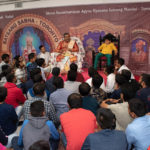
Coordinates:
x,y
138,131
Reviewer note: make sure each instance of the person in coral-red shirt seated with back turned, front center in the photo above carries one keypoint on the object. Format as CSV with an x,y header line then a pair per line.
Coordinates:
x,y
77,123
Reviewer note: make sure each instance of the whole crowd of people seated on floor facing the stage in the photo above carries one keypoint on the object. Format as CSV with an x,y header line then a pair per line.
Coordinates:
x,y
95,114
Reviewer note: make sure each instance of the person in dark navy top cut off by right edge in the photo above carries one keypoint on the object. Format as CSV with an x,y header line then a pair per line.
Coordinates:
x,y
144,93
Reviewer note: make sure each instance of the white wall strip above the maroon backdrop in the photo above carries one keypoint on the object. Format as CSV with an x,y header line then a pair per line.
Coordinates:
x,y
56,3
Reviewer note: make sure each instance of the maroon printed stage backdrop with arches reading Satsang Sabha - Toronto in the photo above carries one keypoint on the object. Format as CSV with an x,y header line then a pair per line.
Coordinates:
x,y
23,28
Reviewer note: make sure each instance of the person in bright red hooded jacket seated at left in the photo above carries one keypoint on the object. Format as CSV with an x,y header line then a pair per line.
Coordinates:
x,y
15,95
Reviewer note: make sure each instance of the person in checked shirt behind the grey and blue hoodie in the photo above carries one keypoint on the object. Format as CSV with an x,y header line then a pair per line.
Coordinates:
x,y
38,90
